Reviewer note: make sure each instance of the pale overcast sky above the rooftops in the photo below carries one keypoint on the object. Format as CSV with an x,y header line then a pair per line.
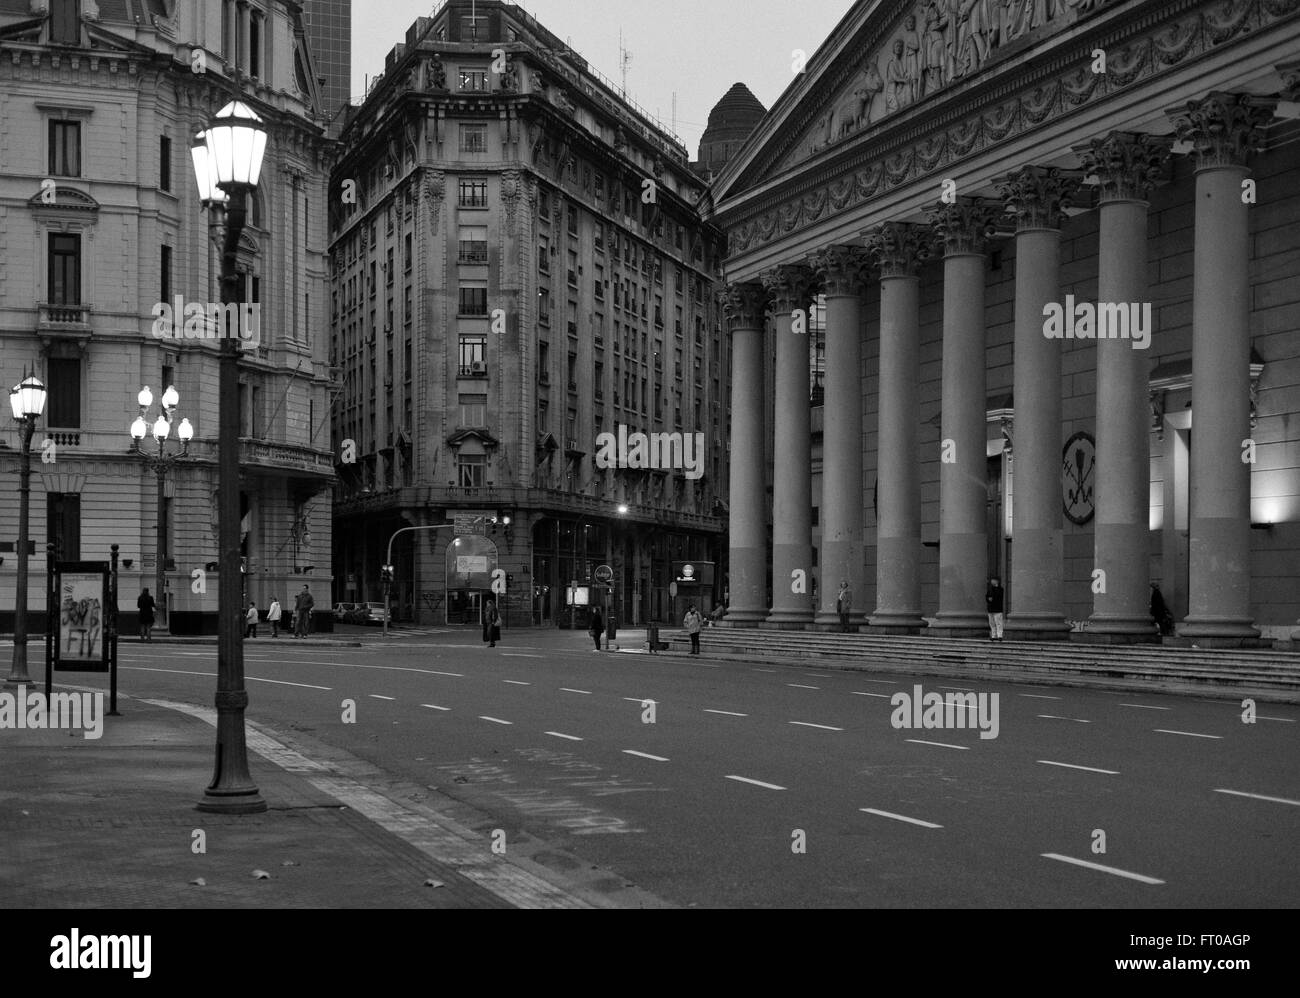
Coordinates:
x,y
696,49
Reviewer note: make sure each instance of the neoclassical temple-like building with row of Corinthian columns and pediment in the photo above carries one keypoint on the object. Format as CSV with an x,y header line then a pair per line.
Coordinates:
x,y
1058,248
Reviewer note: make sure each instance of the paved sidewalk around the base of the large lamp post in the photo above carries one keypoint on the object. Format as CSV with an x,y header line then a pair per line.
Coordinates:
x,y
111,822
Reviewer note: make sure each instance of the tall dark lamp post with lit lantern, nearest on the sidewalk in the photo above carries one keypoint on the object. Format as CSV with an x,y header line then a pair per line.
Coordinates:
x,y
228,162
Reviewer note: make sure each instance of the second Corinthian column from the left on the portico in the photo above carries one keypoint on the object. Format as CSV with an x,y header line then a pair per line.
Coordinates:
x,y
791,289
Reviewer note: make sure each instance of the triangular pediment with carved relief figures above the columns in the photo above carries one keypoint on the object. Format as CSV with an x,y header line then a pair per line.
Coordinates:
x,y
900,55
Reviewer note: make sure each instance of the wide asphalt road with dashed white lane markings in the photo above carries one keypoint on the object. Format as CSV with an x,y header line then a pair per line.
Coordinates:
x,y
746,762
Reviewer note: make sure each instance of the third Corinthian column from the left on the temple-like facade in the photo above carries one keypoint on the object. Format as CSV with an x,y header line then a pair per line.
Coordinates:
x,y
842,272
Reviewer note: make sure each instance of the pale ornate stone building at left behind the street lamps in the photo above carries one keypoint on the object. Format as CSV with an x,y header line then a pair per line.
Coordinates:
x,y
99,223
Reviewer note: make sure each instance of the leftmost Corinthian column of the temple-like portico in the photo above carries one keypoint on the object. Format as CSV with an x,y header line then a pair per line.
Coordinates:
x,y
743,306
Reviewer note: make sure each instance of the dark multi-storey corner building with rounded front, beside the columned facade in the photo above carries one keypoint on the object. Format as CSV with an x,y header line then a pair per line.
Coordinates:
x,y
519,270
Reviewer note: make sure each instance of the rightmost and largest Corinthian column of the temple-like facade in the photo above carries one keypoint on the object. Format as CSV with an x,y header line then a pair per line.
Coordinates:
x,y
1224,131
